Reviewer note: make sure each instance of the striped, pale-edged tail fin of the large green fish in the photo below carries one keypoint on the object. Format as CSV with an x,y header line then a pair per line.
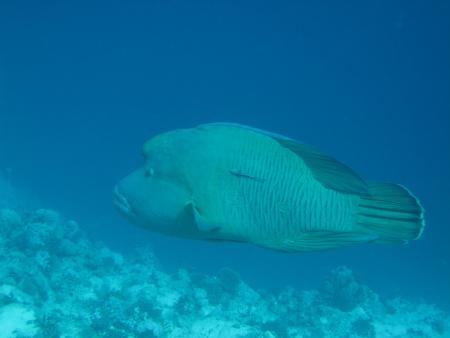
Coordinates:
x,y
391,212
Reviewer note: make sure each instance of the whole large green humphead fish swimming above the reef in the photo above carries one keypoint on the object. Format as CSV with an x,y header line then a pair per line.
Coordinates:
x,y
230,182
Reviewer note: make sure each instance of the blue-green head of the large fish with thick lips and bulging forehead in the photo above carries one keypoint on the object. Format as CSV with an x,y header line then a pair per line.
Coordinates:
x,y
155,195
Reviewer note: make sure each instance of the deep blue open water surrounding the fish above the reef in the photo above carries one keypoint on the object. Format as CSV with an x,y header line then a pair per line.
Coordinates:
x,y
84,84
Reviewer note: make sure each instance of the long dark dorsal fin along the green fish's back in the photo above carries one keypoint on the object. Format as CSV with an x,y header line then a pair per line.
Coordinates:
x,y
329,172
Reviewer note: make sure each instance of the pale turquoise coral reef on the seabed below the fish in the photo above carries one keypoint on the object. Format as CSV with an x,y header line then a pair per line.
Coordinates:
x,y
55,282
